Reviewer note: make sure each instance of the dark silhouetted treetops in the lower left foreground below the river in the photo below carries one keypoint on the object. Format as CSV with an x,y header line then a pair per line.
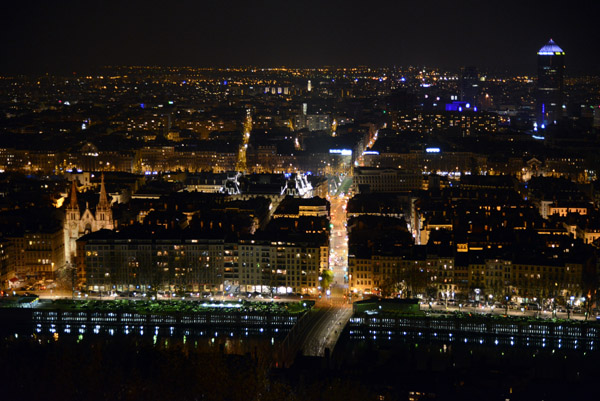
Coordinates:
x,y
133,369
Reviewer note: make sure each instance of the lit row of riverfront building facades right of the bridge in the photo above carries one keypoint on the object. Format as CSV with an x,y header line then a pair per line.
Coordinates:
x,y
441,277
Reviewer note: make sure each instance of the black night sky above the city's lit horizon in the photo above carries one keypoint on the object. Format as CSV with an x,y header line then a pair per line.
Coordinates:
x,y
39,36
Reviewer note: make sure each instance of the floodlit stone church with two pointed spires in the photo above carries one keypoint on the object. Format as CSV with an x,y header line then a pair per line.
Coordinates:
x,y
78,224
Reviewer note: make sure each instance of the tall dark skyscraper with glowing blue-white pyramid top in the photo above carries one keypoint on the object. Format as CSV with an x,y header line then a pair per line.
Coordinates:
x,y
549,99
